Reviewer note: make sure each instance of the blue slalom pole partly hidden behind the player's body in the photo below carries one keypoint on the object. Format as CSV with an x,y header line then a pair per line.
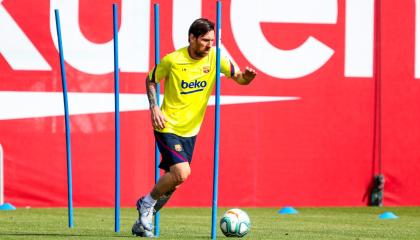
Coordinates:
x,y
157,59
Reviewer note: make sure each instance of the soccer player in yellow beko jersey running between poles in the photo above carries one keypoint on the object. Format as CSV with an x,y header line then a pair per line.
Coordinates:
x,y
189,74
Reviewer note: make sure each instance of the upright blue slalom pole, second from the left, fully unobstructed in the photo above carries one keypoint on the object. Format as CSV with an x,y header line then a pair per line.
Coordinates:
x,y
117,120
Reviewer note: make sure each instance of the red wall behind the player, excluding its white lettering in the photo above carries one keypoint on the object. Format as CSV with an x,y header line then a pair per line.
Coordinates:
x,y
313,151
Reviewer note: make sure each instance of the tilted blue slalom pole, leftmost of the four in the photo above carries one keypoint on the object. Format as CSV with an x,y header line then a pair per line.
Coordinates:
x,y
67,121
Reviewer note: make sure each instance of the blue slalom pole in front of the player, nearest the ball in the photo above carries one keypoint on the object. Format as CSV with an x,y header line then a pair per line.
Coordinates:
x,y
217,124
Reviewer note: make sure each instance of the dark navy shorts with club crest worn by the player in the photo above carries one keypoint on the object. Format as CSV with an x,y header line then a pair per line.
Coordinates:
x,y
174,149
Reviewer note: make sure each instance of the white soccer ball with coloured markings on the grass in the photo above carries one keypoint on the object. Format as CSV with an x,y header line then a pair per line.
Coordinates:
x,y
235,223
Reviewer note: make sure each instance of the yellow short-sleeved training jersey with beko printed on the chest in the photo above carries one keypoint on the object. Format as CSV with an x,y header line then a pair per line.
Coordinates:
x,y
188,86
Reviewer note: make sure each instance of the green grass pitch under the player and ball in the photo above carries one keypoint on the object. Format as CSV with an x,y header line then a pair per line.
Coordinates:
x,y
360,223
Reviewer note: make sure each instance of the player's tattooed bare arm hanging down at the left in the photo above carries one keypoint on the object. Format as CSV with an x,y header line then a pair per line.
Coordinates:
x,y
158,119
